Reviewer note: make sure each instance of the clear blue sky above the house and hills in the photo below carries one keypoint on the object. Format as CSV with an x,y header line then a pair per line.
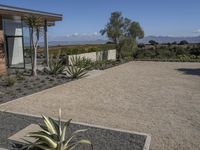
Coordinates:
x,y
87,17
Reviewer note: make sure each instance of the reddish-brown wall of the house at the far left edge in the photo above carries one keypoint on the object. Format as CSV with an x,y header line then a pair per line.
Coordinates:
x,y
2,51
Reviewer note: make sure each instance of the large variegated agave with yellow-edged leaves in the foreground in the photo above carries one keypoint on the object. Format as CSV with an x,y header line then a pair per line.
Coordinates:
x,y
53,137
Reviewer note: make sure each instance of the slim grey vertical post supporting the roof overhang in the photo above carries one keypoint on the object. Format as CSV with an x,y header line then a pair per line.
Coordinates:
x,y
46,47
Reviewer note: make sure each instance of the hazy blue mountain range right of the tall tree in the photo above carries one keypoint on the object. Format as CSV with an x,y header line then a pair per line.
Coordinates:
x,y
167,39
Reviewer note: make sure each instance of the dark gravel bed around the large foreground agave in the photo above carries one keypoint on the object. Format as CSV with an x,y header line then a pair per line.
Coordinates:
x,y
102,139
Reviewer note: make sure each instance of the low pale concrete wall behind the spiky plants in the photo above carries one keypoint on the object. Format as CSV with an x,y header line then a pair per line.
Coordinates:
x,y
100,55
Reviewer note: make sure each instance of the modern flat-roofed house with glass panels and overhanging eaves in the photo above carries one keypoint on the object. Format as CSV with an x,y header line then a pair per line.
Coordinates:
x,y
15,37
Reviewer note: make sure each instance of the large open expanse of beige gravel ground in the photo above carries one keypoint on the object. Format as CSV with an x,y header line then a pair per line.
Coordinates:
x,y
150,97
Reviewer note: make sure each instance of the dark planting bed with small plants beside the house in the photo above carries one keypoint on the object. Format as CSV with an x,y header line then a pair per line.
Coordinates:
x,y
30,85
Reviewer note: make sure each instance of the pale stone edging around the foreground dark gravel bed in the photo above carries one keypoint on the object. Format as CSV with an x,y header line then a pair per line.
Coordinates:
x,y
148,136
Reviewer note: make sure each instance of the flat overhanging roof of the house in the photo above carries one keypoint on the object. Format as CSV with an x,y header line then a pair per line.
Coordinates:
x,y
17,11
